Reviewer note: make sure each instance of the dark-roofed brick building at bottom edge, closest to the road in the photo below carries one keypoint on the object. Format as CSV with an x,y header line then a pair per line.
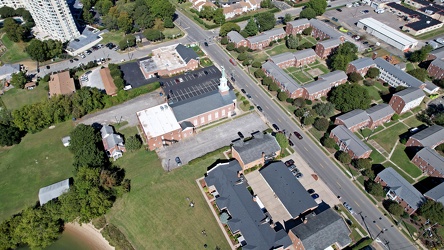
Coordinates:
x,y
321,231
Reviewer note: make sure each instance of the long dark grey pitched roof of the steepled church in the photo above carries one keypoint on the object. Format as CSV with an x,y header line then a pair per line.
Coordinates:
x,y
201,104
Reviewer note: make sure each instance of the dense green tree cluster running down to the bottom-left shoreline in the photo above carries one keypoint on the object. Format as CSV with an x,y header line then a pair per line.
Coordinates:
x,y
96,185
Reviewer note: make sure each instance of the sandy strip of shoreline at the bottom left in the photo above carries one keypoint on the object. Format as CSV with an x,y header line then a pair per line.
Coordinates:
x,y
89,235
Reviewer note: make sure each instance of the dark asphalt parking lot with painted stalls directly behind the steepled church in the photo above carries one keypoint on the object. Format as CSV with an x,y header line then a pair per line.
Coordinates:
x,y
195,83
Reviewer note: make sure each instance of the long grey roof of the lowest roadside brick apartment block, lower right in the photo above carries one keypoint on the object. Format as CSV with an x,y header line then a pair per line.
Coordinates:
x,y
401,187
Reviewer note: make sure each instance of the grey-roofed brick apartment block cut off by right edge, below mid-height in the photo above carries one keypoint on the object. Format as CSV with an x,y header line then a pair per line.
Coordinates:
x,y
430,162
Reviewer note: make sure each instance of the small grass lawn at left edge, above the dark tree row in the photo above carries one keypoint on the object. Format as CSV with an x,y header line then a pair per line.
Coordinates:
x,y
17,98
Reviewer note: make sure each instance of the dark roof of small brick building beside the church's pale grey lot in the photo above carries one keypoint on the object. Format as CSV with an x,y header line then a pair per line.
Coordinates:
x,y
252,150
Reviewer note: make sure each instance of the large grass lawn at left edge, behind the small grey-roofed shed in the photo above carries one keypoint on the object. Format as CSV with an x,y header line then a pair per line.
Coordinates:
x,y
39,160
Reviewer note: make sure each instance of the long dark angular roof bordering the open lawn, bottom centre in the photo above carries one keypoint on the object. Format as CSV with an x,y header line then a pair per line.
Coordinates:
x,y
246,215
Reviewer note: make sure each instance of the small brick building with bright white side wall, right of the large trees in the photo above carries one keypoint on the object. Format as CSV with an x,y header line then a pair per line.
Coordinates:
x,y
406,100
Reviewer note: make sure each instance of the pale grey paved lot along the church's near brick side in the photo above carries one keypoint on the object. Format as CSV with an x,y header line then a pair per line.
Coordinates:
x,y
210,140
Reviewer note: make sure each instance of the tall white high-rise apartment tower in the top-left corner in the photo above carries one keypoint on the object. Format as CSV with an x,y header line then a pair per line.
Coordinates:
x,y
51,17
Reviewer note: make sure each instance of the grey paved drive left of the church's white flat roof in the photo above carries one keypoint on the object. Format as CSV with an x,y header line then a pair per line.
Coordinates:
x,y
125,111
